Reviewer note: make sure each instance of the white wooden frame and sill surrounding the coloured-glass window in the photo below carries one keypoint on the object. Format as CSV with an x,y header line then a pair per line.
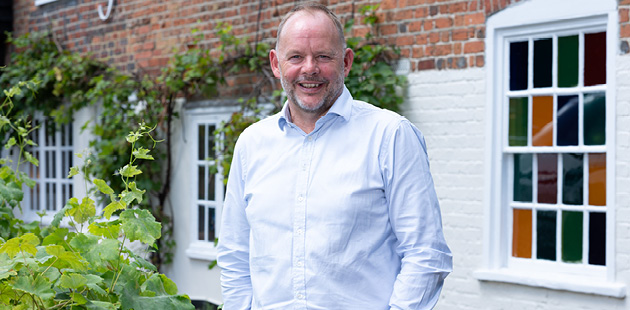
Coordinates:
x,y
539,18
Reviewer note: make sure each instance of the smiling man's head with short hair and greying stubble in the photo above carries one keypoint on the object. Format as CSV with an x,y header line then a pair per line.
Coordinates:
x,y
311,62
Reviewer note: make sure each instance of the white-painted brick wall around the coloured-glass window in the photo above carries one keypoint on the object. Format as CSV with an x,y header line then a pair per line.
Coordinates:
x,y
449,107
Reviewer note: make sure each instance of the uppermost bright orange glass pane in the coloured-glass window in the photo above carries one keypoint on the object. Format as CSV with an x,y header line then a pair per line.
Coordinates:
x,y
542,121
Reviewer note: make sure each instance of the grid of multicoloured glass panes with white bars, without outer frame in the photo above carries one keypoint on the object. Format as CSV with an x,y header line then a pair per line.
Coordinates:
x,y
556,139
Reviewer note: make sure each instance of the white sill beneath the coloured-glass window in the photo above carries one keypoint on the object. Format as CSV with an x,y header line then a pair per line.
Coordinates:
x,y
569,283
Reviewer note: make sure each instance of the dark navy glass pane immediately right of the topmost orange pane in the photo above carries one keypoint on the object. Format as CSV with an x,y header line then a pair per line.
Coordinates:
x,y
567,130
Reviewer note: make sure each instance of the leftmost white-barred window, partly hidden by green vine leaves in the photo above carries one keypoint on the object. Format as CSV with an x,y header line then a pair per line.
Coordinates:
x,y
55,153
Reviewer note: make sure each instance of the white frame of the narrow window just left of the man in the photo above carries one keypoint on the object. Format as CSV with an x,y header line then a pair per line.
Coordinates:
x,y
201,249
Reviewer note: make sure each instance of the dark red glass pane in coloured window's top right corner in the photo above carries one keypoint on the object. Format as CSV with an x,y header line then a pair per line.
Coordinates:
x,y
594,58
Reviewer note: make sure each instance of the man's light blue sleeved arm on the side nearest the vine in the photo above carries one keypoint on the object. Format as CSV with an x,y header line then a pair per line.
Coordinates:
x,y
233,247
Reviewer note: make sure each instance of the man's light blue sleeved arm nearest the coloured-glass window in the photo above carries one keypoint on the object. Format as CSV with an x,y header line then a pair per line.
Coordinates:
x,y
415,218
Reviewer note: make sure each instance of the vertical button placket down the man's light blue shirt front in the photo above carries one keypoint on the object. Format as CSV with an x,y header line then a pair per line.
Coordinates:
x,y
299,224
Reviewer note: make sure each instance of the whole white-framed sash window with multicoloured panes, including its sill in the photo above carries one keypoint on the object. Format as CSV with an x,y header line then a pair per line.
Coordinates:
x,y
551,189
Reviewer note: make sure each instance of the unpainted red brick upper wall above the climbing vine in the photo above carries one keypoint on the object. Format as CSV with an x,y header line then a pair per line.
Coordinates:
x,y
141,34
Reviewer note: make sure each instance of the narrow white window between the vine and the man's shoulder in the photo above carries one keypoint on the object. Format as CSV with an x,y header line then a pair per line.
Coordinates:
x,y
207,189
